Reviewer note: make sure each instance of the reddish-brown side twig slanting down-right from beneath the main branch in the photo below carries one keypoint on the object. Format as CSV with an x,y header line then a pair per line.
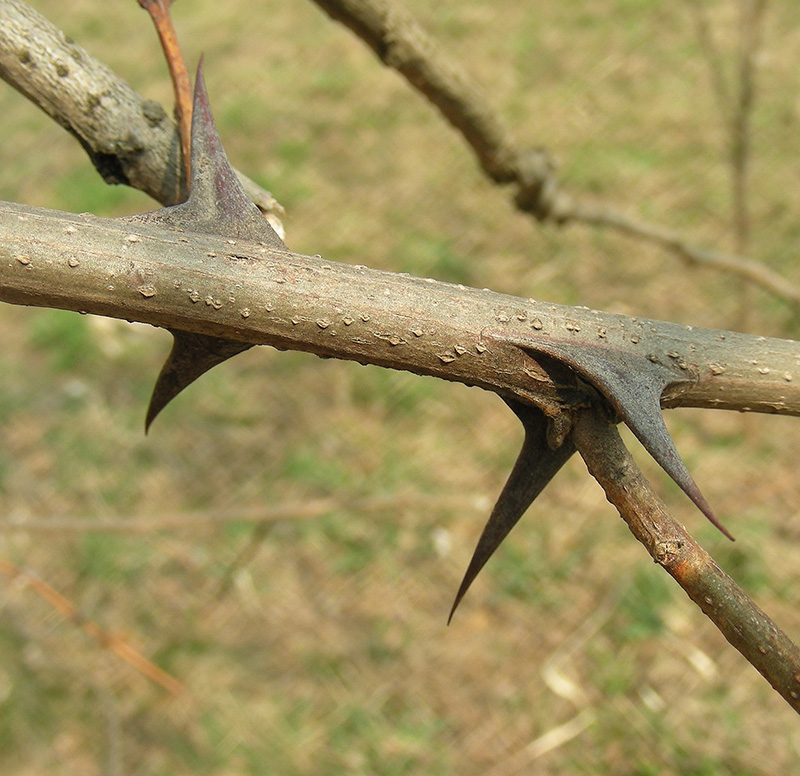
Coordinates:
x,y
739,619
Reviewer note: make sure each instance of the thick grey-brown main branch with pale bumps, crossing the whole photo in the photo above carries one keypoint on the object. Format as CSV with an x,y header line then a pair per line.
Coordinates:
x,y
247,291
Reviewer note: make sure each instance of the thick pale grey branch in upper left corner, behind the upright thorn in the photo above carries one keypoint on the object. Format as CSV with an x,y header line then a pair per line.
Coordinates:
x,y
129,139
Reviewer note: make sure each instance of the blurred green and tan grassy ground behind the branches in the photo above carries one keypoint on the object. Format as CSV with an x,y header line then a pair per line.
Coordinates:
x,y
286,543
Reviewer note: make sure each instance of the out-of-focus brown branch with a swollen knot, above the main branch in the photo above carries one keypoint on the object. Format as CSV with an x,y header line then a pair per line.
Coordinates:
x,y
402,44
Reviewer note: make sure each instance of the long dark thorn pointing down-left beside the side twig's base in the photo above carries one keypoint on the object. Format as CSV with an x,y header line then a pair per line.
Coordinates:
x,y
536,465
